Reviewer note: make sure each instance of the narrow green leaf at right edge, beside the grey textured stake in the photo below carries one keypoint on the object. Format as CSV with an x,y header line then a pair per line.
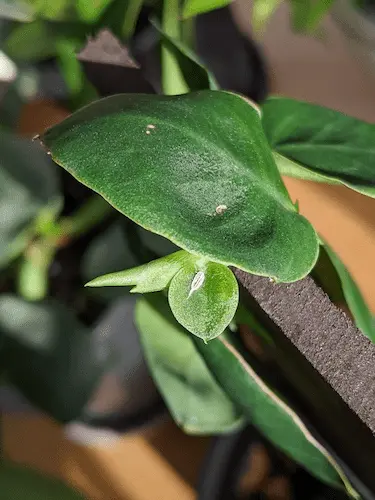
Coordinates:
x,y
354,299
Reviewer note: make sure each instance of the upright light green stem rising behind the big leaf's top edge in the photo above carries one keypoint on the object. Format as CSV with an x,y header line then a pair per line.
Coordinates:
x,y
173,82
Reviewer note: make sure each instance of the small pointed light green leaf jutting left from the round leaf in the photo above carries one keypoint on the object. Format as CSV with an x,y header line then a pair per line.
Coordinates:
x,y
151,277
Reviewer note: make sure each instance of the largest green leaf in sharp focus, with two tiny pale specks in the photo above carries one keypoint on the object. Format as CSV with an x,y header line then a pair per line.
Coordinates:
x,y
194,168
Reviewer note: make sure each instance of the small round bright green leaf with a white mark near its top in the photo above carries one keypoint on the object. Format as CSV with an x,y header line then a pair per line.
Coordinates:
x,y
204,298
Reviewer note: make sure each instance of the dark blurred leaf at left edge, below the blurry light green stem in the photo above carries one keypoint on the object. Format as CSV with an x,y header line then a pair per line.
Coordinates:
x,y
49,356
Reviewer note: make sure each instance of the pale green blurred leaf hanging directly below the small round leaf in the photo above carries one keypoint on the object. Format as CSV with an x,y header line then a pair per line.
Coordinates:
x,y
195,400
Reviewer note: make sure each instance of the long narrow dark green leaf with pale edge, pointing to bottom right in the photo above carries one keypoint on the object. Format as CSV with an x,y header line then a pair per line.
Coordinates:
x,y
266,410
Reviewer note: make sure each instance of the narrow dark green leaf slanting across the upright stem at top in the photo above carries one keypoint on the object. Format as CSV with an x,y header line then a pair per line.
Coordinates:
x,y
195,74
